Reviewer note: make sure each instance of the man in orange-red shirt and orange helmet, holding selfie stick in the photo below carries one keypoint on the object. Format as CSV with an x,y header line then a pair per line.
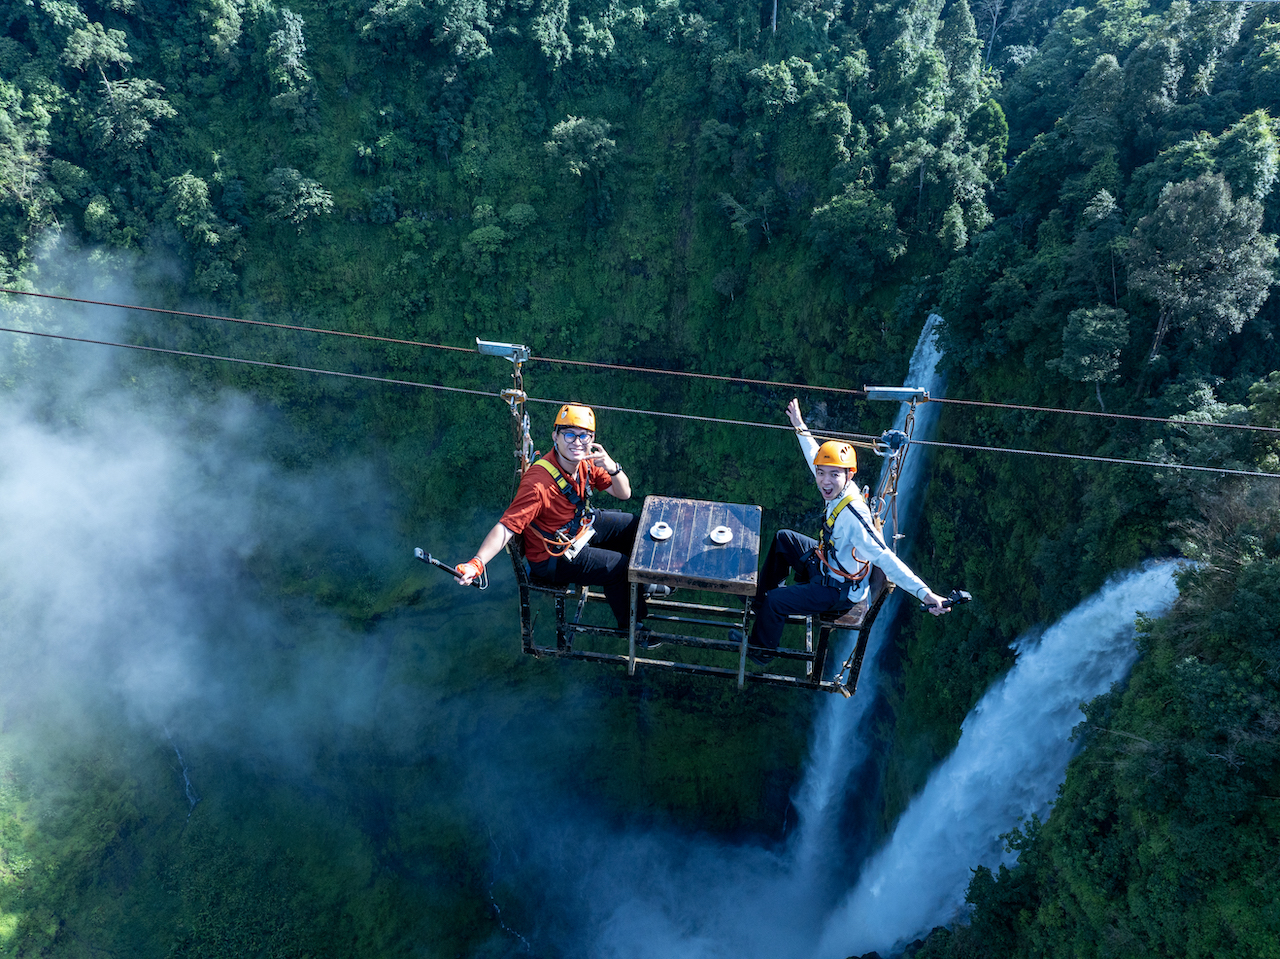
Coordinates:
x,y
565,540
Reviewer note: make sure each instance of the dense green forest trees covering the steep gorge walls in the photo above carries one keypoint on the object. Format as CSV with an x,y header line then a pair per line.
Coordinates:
x,y
780,191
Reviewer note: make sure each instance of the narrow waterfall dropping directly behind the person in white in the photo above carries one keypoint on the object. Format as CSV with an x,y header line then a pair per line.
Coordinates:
x,y
838,748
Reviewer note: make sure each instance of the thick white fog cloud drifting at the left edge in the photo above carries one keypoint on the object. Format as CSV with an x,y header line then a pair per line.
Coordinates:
x,y
136,520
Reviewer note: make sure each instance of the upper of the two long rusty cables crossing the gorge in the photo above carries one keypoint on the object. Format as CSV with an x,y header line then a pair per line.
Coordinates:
x,y
620,368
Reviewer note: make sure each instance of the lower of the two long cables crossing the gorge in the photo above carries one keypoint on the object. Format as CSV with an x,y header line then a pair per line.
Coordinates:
x,y
857,439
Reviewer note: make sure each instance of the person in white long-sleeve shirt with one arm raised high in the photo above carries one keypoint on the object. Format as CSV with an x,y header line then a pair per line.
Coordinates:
x,y
833,570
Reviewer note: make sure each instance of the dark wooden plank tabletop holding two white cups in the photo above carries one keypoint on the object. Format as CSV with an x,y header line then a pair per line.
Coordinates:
x,y
691,559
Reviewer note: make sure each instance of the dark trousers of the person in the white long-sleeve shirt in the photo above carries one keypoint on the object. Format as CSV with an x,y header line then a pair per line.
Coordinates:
x,y
775,602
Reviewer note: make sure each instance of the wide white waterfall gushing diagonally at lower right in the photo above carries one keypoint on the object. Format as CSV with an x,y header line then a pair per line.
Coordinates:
x,y
1012,759
